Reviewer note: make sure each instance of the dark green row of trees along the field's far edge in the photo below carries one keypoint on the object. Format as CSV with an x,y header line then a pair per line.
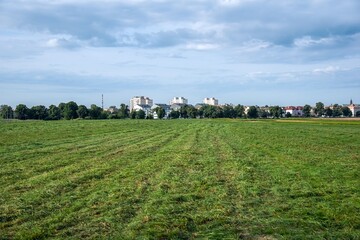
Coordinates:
x,y
72,110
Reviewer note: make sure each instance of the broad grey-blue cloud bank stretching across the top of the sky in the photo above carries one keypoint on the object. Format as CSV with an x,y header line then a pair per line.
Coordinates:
x,y
168,23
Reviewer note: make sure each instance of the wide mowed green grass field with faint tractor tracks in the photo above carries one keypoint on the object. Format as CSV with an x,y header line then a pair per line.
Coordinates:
x,y
180,179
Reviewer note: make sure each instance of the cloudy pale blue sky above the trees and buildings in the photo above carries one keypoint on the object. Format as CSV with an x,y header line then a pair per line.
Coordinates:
x,y
250,52
